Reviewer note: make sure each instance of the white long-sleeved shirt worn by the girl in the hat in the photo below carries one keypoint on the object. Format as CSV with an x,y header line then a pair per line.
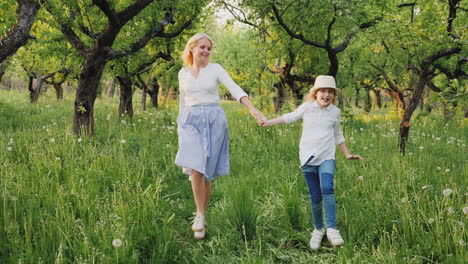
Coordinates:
x,y
321,131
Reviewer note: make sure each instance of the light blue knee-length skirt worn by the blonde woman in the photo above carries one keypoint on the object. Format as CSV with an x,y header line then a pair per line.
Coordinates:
x,y
203,141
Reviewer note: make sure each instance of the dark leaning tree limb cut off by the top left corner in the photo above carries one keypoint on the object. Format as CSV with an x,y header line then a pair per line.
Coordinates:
x,y
19,32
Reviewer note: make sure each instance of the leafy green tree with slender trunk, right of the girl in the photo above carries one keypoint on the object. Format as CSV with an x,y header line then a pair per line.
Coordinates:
x,y
410,64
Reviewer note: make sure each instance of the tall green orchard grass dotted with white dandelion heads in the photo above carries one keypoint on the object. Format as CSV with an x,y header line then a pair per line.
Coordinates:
x,y
65,199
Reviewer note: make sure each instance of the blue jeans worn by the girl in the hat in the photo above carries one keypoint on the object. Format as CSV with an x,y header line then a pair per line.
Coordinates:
x,y
320,182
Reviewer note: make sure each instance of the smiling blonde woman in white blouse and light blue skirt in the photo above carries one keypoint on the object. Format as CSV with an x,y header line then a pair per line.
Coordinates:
x,y
202,126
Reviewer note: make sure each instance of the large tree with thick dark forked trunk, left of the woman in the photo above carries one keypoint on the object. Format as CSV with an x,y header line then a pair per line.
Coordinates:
x,y
101,32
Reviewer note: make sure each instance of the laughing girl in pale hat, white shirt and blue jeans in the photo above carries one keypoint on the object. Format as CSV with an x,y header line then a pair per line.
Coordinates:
x,y
321,132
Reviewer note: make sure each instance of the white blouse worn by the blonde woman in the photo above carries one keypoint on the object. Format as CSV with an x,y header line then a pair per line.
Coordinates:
x,y
204,89
